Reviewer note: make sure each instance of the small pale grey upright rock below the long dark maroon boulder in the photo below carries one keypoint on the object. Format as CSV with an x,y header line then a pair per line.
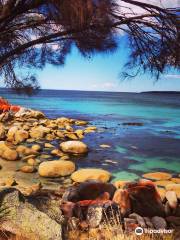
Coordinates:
x,y
94,216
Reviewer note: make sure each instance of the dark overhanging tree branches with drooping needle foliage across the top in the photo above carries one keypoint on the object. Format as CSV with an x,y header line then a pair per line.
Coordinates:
x,y
36,33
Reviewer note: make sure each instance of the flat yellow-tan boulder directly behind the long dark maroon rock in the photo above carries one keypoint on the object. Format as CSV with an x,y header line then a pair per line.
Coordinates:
x,y
85,174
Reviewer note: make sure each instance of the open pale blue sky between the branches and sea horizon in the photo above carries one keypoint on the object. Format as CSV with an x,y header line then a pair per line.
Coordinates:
x,y
101,73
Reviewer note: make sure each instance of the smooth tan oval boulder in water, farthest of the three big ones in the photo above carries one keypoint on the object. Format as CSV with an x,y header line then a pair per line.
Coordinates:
x,y
74,147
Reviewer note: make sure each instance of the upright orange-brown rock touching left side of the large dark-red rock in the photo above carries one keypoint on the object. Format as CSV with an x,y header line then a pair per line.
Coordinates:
x,y
121,197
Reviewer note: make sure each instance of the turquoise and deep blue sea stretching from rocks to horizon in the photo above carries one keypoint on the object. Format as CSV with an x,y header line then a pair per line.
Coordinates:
x,y
134,150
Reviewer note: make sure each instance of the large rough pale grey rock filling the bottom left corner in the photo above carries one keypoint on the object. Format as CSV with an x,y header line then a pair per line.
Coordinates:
x,y
25,219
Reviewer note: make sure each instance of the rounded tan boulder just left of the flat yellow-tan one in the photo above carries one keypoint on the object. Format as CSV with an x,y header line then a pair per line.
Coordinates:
x,y
57,168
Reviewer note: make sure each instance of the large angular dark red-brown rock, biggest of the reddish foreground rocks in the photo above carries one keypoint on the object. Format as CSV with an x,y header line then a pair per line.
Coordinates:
x,y
145,199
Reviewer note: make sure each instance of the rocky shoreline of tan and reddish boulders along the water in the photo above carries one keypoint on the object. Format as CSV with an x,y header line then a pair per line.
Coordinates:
x,y
26,133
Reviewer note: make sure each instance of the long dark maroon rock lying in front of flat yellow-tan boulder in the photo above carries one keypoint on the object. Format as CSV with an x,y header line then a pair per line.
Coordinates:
x,y
89,190
